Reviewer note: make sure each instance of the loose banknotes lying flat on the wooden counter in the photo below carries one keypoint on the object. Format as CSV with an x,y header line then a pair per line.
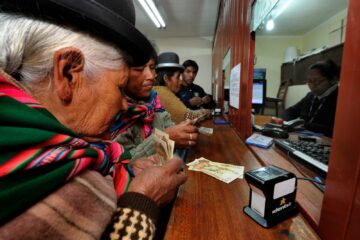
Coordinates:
x,y
222,171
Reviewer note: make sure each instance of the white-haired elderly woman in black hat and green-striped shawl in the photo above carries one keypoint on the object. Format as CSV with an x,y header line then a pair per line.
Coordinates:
x,y
61,84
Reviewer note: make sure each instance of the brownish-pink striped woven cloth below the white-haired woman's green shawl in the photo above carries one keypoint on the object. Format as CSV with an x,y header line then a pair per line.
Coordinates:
x,y
80,209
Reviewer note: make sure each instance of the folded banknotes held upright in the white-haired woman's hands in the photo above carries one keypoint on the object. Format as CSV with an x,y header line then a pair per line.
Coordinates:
x,y
164,146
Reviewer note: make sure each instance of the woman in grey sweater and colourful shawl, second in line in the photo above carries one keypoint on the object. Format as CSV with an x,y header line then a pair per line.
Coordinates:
x,y
133,129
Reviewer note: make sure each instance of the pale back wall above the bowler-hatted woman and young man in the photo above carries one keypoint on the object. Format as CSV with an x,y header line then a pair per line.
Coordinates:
x,y
197,49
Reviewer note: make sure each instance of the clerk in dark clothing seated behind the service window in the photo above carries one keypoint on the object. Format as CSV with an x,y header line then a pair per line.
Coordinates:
x,y
318,107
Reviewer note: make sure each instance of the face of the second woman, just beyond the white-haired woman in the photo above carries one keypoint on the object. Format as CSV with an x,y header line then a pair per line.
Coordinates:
x,y
141,80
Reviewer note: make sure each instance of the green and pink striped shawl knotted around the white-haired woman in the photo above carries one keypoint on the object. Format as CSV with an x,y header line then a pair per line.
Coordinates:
x,y
38,154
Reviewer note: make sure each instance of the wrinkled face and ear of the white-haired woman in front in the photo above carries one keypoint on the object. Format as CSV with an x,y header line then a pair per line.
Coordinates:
x,y
86,105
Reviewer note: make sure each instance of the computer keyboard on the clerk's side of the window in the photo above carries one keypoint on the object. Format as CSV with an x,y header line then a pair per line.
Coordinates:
x,y
315,155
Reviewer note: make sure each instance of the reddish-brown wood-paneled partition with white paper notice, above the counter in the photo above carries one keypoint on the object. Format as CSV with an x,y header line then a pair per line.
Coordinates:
x,y
233,32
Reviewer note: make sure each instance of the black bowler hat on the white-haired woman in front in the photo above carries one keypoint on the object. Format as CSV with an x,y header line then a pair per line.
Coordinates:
x,y
110,20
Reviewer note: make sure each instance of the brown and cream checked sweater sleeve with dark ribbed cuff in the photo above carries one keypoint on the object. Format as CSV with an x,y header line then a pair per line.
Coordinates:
x,y
134,218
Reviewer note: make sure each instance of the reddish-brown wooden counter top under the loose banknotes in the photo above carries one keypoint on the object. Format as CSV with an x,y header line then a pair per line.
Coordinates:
x,y
207,208
